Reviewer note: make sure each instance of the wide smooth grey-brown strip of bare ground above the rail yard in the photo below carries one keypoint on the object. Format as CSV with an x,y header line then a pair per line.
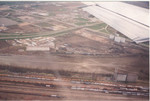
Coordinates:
x,y
87,64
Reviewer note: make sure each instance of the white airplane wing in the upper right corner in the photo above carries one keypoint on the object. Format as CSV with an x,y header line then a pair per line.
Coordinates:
x,y
130,20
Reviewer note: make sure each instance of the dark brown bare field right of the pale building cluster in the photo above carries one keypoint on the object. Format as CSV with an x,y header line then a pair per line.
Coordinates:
x,y
87,44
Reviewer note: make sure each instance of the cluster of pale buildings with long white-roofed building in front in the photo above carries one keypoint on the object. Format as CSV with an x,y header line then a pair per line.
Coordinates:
x,y
36,44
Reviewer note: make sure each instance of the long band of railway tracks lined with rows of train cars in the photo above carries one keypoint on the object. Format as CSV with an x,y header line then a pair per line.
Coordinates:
x,y
74,85
